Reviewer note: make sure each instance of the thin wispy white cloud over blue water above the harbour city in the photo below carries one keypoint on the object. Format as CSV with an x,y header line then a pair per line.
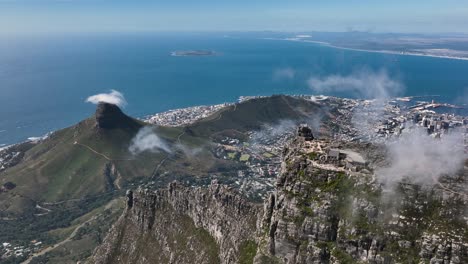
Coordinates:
x,y
365,83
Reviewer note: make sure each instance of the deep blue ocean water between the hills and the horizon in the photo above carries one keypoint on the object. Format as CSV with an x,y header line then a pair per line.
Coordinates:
x,y
44,81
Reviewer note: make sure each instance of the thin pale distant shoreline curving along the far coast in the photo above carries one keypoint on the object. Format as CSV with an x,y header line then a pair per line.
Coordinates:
x,y
326,44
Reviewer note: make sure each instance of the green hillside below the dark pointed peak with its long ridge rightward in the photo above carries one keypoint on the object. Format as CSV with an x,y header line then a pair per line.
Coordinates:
x,y
82,167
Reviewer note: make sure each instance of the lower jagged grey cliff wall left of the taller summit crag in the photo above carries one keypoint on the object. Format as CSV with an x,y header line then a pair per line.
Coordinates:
x,y
182,225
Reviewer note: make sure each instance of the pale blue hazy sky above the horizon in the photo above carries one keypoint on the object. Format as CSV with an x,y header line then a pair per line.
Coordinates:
x,y
409,16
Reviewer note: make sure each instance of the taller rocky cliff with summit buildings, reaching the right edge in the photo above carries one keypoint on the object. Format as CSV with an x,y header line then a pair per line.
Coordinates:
x,y
320,215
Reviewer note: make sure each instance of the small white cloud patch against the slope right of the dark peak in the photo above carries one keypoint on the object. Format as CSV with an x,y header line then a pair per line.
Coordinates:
x,y
147,140
